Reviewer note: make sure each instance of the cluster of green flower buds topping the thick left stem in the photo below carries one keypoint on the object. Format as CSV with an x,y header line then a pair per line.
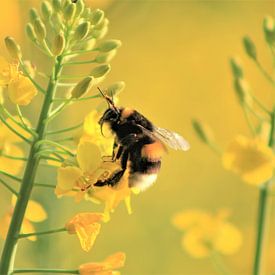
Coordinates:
x,y
66,26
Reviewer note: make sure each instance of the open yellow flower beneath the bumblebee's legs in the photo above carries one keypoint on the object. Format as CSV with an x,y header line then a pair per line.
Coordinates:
x,y
78,180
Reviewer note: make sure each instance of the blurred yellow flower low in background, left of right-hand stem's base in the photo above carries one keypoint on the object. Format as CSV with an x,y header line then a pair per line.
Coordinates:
x,y
205,233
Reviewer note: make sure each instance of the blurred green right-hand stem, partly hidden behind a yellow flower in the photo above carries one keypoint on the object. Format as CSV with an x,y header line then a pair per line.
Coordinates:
x,y
263,198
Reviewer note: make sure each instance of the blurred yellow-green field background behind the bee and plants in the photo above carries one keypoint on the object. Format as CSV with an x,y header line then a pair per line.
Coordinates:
x,y
174,60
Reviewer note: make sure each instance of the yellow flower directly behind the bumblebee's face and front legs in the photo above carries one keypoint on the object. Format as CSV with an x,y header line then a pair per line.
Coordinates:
x,y
92,132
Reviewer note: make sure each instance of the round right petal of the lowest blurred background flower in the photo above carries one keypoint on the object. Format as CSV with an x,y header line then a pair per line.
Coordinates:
x,y
228,240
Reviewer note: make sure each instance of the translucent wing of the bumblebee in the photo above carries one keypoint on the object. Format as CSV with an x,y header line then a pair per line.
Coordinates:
x,y
172,139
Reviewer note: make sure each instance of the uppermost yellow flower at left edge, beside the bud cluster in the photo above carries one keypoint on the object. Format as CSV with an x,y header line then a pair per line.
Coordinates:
x,y
20,89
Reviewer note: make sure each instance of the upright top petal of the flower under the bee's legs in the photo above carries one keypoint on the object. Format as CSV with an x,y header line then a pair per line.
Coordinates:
x,y
87,155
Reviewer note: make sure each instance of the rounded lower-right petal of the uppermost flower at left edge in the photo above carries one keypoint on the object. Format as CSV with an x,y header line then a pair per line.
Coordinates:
x,y
21,90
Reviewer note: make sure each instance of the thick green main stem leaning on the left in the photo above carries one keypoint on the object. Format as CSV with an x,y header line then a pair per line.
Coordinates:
x,y
9,250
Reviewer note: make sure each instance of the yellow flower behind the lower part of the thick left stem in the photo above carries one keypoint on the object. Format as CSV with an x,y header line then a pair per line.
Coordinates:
x,y
34,213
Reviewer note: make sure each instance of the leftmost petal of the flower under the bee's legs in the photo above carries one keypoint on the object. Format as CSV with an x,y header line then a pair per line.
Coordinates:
x,y
68,177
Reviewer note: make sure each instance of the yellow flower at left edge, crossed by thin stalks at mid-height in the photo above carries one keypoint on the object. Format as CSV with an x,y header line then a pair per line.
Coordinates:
x,y
9,148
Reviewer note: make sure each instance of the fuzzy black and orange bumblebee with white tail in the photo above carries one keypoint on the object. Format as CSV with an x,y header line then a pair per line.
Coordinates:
x,y
138,145
